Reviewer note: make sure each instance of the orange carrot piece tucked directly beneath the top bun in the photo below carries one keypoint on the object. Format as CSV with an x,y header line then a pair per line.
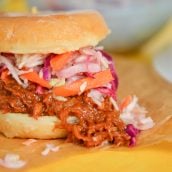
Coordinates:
x,y
60,60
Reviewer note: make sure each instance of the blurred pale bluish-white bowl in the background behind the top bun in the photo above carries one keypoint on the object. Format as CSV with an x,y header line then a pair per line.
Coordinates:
x,y
133,25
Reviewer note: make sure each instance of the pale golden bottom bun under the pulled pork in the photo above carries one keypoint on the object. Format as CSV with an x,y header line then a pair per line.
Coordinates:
x,y
23,126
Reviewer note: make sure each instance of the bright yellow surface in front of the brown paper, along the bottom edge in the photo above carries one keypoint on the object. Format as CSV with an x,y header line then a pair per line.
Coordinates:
x,y
155,158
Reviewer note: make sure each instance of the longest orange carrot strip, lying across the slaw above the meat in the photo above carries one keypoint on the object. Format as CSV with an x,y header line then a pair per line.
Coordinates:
x,y
100,78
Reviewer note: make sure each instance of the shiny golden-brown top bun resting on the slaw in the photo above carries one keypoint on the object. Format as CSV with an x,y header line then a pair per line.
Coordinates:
x,y
57,33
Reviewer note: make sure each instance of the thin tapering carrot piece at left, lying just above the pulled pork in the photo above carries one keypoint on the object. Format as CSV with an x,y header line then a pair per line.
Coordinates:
x,y
34,77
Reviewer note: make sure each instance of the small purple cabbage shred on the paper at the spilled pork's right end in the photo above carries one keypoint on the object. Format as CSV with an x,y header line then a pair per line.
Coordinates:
x,y
132,132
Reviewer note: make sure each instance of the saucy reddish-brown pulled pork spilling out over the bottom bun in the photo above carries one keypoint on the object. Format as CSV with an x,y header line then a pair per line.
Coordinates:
x,y
86,122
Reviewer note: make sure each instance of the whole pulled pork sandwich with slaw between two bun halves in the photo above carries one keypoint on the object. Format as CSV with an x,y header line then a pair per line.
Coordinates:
x,y
54,82
